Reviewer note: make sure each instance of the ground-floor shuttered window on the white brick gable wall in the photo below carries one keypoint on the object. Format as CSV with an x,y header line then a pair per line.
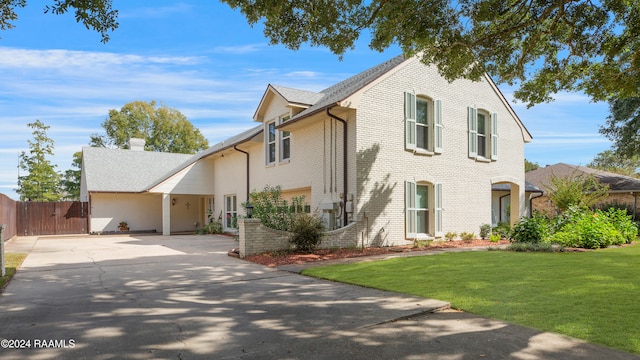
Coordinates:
x,y
418,216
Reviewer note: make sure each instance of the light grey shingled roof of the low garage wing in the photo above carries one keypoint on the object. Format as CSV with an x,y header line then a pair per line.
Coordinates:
x,y
117,170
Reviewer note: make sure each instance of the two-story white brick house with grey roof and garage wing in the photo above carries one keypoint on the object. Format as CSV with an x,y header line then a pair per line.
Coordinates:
x,y
396,149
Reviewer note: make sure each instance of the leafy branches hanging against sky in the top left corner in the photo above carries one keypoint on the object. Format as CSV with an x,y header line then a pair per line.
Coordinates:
x,y
97,15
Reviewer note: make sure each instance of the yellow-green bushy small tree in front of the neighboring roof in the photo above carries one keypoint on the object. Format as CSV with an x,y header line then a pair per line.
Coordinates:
x,y
580,191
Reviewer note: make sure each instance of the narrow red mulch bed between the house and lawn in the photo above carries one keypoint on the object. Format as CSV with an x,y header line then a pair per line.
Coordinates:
x,y
274,259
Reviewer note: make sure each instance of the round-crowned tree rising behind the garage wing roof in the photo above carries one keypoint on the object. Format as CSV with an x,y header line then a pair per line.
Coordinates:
x,y
163,128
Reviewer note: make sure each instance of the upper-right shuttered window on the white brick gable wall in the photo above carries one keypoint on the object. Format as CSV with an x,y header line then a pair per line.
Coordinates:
x,y
483,134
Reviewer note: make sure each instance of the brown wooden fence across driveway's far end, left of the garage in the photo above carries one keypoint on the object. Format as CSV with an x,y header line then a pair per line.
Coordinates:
x,y
52,218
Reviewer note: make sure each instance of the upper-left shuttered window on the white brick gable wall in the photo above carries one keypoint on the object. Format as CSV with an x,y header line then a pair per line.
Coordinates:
x,y
423,124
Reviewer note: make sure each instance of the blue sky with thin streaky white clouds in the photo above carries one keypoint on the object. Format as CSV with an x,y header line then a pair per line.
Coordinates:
x,y
203,59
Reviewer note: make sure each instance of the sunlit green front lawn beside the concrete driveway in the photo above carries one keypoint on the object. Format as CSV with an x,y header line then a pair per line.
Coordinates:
x,y
594,296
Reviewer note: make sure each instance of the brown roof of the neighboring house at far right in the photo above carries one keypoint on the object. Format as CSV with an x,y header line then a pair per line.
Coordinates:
x,y
616,182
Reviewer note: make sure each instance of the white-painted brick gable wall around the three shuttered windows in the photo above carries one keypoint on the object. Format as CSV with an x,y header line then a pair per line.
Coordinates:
x,y
384,164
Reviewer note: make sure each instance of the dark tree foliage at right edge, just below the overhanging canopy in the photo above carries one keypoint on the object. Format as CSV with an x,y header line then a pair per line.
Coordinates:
x,y
623,126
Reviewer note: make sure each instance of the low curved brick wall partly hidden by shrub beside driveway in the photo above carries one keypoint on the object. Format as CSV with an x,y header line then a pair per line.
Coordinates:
x,y
256,238
